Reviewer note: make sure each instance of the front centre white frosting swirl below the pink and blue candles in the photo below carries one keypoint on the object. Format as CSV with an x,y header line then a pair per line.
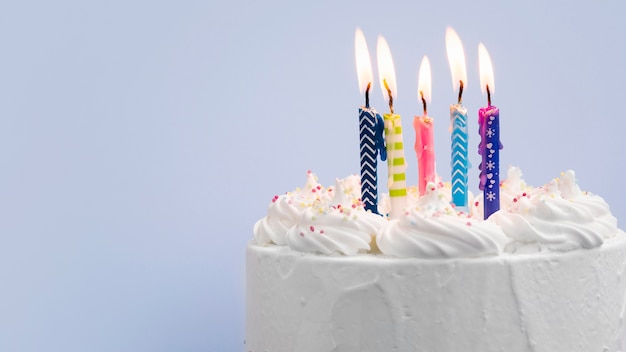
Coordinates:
x,y
433,229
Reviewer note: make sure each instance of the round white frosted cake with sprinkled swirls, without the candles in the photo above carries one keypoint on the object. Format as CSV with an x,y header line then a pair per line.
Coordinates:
x,y
542,274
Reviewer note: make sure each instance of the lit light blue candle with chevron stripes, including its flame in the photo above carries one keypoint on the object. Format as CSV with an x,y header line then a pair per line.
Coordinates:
x,y
459,161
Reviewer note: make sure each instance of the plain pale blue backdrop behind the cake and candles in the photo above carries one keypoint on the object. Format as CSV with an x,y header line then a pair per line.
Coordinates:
x,y
139,141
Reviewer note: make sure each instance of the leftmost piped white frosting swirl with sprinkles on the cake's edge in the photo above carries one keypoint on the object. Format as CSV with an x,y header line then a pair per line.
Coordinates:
x,y
284,211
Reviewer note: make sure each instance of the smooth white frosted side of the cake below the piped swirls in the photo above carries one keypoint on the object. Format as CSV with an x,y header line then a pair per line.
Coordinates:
x,y
569,301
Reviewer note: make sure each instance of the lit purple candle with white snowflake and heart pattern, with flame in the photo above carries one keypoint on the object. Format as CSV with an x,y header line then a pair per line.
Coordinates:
x,y
489,147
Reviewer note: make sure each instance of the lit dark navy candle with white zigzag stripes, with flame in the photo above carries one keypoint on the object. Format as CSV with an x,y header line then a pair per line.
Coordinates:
x,y
371,128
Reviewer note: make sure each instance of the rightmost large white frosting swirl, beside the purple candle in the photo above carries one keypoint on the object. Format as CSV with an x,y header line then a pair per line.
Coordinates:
x,y
557,216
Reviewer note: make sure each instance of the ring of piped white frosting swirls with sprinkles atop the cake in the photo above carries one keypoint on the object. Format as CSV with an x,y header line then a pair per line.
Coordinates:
x,y
332,221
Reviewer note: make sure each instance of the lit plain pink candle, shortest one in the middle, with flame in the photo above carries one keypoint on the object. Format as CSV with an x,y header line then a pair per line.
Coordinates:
x,y
424,136
